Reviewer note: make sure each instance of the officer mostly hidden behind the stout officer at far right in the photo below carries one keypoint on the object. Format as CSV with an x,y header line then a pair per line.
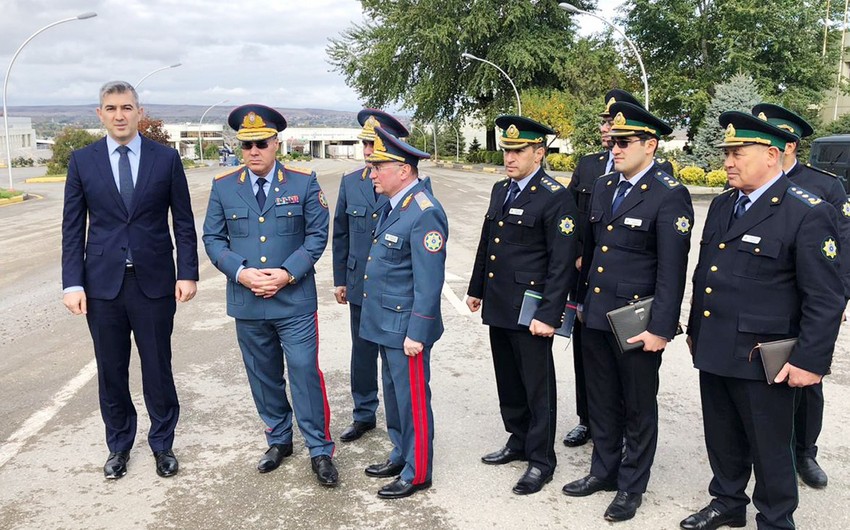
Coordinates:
x,y
808,418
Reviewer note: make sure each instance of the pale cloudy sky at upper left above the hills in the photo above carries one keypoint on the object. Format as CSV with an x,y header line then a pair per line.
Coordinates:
x,y
249,51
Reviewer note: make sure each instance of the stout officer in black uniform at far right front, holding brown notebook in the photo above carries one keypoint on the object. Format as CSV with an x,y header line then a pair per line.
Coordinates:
x,y
768,270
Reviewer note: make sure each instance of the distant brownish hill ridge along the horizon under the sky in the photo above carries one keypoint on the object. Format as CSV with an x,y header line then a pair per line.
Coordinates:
x,y
48,120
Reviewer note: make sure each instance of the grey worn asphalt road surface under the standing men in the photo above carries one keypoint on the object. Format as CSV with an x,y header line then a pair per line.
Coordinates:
x,y
51,434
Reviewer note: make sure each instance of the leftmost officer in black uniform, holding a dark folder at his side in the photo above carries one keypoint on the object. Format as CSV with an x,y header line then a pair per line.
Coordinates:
x,y
528,242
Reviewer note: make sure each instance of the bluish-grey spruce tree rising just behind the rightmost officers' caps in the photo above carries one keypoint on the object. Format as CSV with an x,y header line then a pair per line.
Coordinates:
x,y
739,93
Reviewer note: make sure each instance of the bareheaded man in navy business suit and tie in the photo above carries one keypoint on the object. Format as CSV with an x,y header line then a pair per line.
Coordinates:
x,y
119,270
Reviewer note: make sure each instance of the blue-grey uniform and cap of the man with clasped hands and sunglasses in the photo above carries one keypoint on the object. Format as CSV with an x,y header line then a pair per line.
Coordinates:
x,y
289,231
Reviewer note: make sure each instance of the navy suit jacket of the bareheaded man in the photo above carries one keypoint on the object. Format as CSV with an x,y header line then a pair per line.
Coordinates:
x,y
95,259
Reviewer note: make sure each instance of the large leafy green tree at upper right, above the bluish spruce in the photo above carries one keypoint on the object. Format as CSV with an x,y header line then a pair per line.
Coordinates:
x,y
689,46
